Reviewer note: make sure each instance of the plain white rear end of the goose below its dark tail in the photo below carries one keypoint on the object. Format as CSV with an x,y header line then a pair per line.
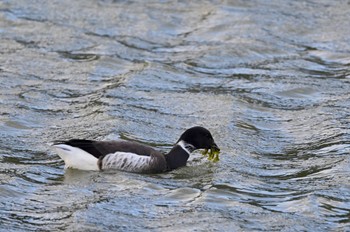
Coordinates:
x,y
76,158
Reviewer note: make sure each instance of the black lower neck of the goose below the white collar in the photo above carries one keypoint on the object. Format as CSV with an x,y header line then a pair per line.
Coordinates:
x,y
177,157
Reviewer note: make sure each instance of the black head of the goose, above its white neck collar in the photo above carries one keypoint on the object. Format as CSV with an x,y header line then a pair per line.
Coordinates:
x,y
199,137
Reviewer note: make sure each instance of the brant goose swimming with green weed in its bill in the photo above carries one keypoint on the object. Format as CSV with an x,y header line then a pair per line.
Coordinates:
x,y
132,156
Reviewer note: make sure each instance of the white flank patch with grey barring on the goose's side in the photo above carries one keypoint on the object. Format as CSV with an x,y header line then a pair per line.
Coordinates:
x,y
127,161
